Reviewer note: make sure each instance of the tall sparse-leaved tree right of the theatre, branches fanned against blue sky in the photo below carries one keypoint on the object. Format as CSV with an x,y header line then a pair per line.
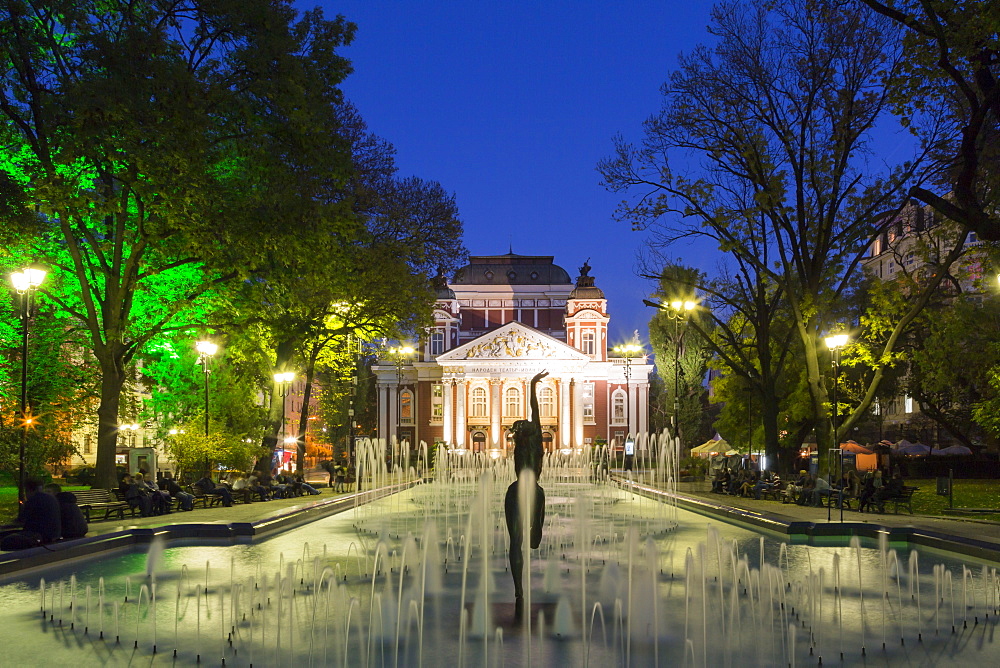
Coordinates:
x,y
778,114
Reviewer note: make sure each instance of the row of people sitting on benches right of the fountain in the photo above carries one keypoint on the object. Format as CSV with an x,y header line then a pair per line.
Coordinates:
x,y
813,490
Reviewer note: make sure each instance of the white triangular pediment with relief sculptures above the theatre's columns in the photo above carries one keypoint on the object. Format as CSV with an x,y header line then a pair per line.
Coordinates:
x,y
513,341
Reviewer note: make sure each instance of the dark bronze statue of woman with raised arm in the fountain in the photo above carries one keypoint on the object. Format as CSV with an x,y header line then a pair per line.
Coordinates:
x,y
527,456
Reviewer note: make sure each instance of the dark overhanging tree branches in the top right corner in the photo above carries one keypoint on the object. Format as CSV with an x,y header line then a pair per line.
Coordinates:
x,y
951,68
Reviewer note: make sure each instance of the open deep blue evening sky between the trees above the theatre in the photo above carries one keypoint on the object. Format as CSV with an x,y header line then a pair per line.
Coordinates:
x,y
510,105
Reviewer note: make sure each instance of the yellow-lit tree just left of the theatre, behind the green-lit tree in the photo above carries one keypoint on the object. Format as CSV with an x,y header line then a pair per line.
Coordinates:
x,y
375,283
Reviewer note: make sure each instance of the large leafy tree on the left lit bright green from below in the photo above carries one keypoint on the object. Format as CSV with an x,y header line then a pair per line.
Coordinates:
x,y
165,146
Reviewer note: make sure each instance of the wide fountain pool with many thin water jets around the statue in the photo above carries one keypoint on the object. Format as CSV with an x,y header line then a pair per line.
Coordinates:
x,y
420,577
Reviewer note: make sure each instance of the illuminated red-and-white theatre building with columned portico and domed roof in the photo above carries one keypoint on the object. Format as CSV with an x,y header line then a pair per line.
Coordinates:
x,y
503,319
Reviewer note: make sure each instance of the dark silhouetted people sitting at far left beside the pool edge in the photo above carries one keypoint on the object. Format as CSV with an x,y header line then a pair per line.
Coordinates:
x,y
48,514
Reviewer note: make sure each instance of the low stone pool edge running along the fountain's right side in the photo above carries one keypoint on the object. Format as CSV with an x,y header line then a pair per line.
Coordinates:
x,y
819,533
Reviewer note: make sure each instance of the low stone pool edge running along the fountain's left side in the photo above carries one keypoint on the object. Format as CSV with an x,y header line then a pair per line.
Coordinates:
x,y
22,562
